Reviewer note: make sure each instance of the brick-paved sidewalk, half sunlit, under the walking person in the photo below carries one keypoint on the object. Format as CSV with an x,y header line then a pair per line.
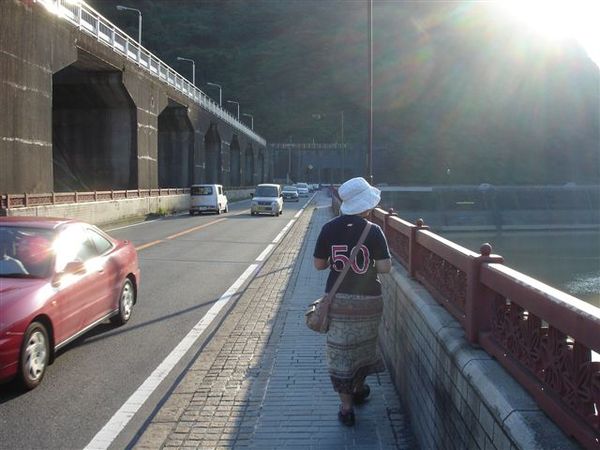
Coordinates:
x,y
261,382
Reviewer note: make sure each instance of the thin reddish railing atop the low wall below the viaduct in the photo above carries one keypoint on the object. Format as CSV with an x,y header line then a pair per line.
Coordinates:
x,y
59,198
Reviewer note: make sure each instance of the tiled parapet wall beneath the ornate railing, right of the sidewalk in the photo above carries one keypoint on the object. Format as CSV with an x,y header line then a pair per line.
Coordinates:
x,y
458,396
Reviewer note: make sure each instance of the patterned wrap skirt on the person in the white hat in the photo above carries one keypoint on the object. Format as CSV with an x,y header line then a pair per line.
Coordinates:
x,y
352,350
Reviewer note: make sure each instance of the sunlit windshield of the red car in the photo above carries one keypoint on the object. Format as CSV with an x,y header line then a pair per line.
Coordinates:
x,y
25,252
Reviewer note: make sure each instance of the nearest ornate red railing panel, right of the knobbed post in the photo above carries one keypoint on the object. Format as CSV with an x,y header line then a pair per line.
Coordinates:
x,y
550,342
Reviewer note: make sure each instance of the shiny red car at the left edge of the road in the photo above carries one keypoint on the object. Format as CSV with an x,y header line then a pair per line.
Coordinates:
x,y
58,279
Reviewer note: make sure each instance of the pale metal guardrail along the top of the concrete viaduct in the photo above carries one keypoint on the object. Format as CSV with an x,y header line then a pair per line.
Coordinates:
x,y
92,22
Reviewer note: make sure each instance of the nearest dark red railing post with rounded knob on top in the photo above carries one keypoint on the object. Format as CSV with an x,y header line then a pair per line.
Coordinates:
x,y
476,308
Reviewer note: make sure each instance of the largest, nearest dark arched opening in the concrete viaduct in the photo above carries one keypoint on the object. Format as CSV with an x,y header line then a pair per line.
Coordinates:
x,y
94,130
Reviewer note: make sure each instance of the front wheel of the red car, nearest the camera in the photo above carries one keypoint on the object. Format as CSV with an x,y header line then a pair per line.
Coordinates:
x,y
35,354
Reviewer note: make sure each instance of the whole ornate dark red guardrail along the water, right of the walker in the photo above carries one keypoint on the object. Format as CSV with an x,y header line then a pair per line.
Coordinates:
x,y
546,339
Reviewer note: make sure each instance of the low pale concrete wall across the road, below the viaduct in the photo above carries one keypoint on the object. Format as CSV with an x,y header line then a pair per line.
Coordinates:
x,y
111,211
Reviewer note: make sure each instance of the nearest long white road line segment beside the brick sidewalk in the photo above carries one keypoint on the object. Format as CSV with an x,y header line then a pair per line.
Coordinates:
x,y
121,418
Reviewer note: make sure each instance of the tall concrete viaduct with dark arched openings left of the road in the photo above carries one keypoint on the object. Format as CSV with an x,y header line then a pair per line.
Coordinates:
x,y
86,108
